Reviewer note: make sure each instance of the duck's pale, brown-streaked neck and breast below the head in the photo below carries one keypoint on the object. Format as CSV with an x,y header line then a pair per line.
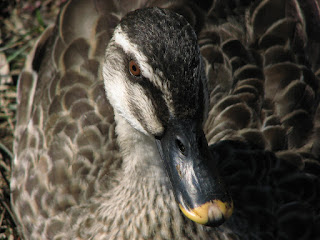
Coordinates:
x,y
142,201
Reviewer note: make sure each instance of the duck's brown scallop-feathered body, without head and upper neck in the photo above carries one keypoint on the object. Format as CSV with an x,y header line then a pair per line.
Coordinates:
x,y
263,68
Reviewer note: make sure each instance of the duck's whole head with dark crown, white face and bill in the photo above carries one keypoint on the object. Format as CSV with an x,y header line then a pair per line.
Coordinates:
x,y
154,78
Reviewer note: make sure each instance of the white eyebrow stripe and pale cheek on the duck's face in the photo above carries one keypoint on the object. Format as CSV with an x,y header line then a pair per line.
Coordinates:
x,y
126,97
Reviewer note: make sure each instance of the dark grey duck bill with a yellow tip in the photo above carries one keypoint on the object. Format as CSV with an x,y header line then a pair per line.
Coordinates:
x,y
191,168
